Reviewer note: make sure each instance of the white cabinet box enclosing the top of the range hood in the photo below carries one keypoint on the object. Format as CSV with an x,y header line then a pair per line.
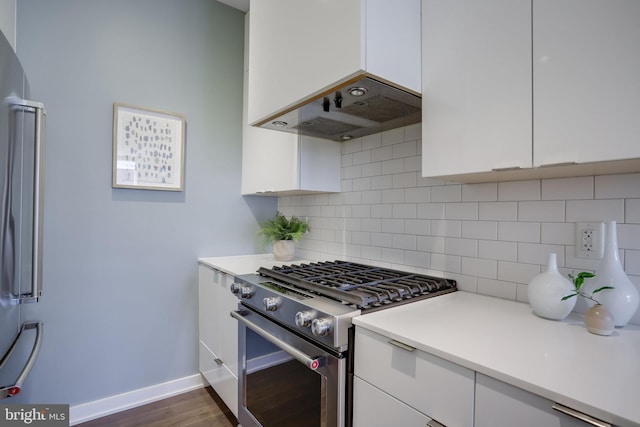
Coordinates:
x,y
299,49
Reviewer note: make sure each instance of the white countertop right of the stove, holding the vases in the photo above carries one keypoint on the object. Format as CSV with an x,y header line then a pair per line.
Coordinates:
x,y
559,360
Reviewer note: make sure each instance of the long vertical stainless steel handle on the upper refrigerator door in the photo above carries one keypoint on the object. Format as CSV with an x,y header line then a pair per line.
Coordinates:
x,y
38,109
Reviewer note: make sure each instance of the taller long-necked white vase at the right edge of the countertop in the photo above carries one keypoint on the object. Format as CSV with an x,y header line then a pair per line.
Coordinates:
x,y
621,301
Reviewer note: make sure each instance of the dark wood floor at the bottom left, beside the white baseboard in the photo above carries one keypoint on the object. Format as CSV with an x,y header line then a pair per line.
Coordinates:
x,y
200,407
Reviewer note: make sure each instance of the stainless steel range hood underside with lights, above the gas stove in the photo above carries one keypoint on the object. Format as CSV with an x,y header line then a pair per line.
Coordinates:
x,y
360,107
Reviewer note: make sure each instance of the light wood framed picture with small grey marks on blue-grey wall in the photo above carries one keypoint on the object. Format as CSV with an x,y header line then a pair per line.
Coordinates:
x,y
148,148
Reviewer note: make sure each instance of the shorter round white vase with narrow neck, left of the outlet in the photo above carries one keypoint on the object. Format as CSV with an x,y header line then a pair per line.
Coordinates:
x,y
545,292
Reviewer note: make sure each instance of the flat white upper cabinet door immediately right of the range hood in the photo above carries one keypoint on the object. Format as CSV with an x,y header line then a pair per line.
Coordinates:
x,y
476,86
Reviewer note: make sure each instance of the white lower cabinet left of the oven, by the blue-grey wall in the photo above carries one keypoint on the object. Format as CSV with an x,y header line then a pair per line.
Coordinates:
x,y
218,334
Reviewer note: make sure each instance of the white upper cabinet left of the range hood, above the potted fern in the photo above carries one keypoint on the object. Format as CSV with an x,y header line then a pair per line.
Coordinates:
x,y
275,163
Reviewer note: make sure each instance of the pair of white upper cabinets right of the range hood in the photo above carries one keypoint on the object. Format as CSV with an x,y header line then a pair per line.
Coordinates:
x,y
529,84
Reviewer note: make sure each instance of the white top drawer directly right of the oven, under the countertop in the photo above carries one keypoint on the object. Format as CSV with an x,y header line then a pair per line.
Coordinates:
x,y
439,389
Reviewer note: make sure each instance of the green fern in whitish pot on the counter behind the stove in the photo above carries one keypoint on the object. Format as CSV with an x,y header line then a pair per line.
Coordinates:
x,y
281,232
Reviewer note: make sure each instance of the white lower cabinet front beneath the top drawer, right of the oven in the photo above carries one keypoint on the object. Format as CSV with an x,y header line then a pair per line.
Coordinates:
x,y
373,407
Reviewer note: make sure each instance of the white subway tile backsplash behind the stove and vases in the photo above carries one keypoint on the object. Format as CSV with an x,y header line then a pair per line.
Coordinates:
x,y
492,238
